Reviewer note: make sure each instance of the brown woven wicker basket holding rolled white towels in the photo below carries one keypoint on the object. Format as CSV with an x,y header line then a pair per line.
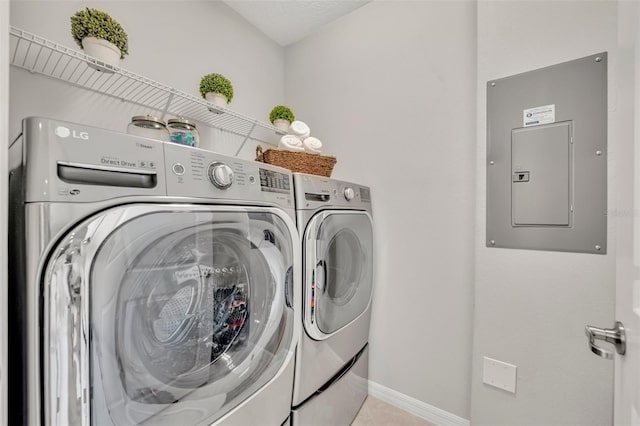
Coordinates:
x,y
297,162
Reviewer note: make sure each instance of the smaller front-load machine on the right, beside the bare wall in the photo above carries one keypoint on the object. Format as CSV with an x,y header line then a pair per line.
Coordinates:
x,y
335,224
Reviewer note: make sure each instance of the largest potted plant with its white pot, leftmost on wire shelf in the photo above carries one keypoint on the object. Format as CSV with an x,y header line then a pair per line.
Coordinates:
x,y
100,35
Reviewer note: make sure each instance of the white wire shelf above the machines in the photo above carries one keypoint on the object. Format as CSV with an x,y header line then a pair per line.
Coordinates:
x,y
39,55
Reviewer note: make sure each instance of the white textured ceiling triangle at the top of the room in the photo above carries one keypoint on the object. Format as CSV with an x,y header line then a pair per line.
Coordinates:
x,y
287,21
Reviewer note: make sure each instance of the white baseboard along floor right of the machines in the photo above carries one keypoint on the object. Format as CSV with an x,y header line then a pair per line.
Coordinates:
x,y
416,407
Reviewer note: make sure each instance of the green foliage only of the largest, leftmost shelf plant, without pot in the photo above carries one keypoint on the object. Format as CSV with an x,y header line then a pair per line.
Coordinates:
x,y
95,23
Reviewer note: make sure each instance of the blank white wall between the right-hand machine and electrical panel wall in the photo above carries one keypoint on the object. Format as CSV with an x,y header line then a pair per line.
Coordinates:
x,y
390,89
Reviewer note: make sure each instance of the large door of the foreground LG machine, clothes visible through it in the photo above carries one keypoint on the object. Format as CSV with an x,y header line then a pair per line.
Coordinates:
x,y
188,311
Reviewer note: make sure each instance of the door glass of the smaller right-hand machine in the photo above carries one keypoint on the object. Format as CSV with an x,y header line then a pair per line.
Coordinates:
x,y
343,269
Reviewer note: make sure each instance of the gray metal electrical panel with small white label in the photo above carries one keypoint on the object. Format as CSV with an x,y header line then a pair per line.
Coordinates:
x,y
546,158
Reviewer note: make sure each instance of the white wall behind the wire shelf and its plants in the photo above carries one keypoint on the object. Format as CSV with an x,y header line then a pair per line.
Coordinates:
x,y
173,42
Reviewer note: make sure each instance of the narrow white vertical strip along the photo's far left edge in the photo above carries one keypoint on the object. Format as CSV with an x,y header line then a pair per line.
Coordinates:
x,y
4,144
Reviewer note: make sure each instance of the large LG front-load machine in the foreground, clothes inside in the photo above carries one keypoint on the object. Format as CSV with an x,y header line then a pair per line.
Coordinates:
x,y
150,283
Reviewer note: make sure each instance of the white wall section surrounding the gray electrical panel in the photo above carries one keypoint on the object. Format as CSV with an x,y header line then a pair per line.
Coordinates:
x,y
531,307
